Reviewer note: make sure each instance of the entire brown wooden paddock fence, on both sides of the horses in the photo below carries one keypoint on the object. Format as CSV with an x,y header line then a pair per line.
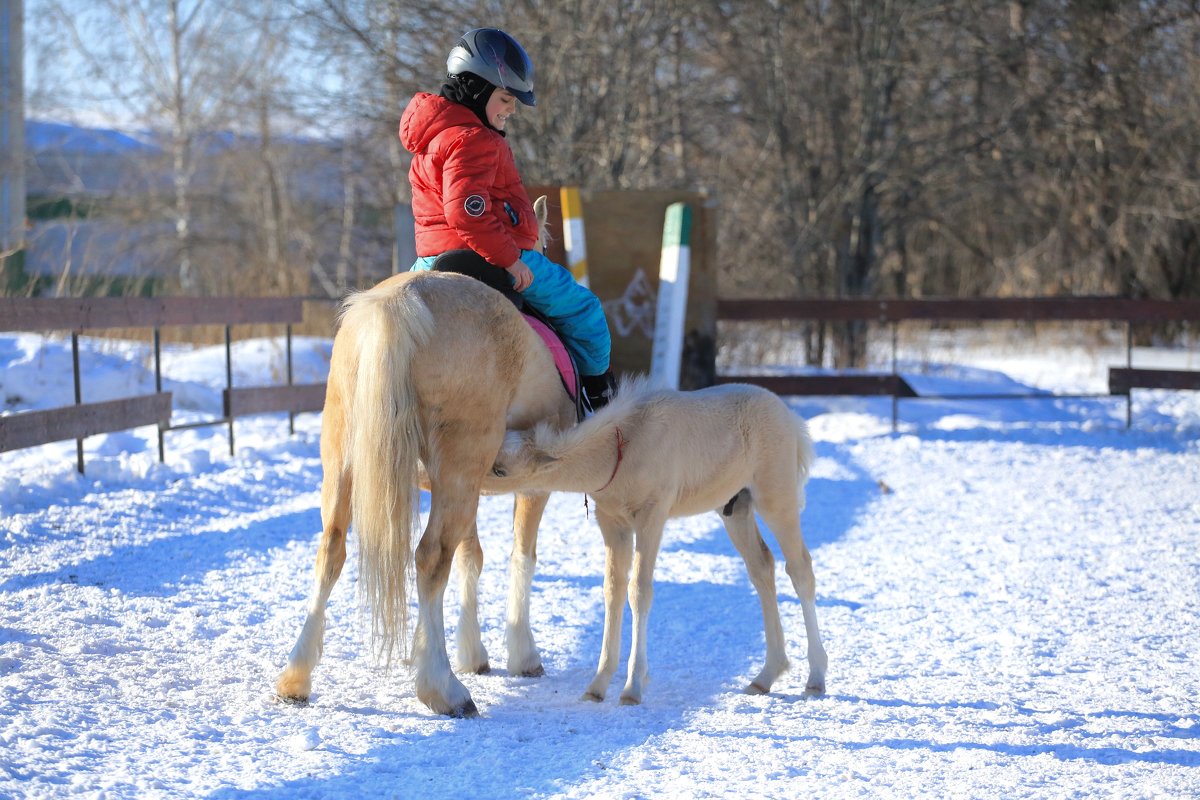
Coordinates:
x,y
82,420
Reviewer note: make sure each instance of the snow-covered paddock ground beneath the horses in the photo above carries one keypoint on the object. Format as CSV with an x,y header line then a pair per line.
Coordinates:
x,y
1009,593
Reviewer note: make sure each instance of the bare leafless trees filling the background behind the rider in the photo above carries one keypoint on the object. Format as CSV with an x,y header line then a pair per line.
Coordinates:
x,y
898,148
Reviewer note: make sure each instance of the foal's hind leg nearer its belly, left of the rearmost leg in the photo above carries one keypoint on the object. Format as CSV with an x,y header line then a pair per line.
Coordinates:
x,y
760,563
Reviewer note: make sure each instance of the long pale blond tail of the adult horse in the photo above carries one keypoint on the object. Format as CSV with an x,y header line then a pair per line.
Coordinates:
x,y
388,327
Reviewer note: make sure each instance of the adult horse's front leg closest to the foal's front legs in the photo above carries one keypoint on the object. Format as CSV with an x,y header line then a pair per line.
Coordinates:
x,y
524,657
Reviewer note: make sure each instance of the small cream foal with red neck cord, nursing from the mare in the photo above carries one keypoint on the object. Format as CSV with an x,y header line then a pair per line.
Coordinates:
x,y
653,455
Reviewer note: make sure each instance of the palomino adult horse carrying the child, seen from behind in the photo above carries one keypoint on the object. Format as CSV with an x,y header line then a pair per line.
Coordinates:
x,y
428,372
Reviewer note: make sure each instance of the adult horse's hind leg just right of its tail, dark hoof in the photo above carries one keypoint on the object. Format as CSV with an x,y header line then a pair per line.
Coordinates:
x,y
453,506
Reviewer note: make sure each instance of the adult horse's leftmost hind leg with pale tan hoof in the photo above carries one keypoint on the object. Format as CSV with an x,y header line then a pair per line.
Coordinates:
x,y
296,682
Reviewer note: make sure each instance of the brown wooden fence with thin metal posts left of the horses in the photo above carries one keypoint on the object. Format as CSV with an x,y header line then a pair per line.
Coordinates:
x,y
80,315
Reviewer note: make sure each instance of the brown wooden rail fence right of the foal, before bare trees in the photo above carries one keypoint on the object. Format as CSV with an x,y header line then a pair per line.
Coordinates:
x,y
895,312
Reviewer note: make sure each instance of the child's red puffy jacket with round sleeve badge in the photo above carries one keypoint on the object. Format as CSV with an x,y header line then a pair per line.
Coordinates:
x,y
467,193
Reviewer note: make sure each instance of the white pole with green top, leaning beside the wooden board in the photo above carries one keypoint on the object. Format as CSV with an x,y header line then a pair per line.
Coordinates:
x,y
667,357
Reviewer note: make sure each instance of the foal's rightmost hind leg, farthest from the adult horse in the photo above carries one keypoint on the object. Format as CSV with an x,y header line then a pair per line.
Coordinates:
x,y
782,513
